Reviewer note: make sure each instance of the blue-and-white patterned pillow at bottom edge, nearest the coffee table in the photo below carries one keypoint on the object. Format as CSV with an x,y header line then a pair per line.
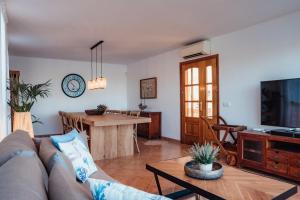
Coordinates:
x,y
106,190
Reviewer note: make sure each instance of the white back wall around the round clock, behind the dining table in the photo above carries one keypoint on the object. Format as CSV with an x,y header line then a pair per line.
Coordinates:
x,y
37,70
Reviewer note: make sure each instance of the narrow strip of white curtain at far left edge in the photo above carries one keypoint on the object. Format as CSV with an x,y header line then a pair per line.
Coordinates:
x,y
4,71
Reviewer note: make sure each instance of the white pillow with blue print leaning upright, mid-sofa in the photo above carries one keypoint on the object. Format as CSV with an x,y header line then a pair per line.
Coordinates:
x,y
80,157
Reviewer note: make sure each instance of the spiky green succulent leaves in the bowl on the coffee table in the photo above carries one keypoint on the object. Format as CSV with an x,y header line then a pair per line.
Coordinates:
x,y
204,154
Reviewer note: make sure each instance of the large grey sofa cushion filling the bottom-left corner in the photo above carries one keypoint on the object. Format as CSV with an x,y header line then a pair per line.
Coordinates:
x,y
22,178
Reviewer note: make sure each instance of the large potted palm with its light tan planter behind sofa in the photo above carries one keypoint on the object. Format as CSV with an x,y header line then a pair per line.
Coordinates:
x,y
23,97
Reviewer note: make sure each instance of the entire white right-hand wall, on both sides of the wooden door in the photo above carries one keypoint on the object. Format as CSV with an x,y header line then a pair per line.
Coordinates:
x,y
266,51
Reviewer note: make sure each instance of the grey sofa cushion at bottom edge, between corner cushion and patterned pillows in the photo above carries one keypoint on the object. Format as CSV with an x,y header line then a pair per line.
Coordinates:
x,y
62,186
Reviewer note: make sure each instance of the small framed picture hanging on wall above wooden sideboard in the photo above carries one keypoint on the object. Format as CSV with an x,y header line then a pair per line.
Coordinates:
x,y
148,88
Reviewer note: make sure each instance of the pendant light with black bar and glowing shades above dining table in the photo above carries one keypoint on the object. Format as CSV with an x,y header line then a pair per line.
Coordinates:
x,y
98,82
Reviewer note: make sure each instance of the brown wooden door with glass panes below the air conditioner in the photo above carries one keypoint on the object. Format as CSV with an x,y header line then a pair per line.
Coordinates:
x,y
199,97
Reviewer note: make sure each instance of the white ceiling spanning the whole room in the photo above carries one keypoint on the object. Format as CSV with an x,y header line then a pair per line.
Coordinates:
x,y
132,29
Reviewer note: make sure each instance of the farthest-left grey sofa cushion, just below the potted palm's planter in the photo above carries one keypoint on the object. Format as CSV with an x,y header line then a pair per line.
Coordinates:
x,y
14,143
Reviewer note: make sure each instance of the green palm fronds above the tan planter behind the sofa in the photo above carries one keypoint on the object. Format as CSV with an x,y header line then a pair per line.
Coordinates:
x,y
24,95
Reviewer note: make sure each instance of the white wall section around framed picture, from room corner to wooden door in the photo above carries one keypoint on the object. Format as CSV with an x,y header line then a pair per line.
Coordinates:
x,y
166,68
